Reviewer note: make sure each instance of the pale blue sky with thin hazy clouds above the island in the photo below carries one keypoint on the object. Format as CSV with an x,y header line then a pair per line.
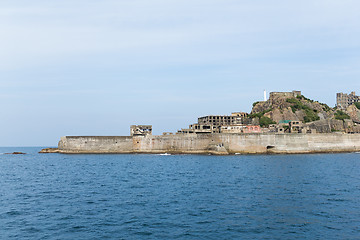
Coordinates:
x,y
89,67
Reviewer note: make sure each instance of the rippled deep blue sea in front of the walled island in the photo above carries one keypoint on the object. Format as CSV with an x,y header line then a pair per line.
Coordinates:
x,y
55,196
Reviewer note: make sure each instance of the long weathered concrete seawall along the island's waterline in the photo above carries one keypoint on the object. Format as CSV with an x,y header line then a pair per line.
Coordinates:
x,y
221,144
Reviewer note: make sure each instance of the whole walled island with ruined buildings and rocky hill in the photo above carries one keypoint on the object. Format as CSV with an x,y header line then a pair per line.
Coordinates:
x,y
286,123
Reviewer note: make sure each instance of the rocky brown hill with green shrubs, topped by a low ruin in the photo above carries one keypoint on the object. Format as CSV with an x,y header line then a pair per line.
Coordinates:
x,y
285,106
